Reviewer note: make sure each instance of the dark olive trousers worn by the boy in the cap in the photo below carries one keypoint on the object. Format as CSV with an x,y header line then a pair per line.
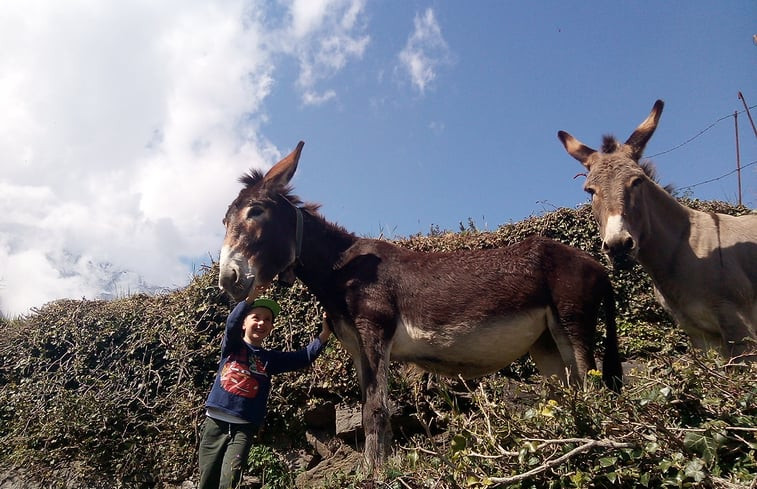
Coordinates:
x,y
223,452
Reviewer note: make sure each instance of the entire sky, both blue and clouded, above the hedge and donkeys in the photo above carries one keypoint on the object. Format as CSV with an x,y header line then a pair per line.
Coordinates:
x,y
126,124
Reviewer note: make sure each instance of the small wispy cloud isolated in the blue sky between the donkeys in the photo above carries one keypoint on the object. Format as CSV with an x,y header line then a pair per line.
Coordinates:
x,y
424,51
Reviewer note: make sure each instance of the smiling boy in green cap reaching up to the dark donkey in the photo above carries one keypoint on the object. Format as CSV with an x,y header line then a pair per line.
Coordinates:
x,y
236,405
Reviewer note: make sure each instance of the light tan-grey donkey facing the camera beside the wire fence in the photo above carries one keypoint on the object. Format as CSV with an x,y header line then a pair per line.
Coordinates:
x,y
703,265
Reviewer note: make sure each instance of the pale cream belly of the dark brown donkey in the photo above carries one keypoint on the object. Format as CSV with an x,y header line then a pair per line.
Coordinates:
x,y
470,350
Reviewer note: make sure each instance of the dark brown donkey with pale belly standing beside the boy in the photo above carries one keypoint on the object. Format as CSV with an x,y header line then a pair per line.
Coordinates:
x,y
465,313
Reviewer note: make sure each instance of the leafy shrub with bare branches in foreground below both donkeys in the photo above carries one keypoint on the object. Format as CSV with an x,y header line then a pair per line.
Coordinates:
x,y
683,421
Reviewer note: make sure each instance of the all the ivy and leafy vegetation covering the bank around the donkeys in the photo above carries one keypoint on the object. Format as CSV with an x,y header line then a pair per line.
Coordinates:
x,y
110,394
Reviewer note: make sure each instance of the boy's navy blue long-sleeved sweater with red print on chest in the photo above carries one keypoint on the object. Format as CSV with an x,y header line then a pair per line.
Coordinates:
x,y
243,382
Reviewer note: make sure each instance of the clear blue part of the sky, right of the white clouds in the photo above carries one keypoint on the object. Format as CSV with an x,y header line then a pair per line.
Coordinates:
x,y
480,140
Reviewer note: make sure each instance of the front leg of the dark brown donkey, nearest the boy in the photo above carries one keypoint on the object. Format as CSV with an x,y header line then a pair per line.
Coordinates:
x,y
375,367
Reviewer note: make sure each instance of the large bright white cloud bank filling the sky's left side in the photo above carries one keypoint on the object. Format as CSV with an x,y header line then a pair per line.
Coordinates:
x,y
125,126
